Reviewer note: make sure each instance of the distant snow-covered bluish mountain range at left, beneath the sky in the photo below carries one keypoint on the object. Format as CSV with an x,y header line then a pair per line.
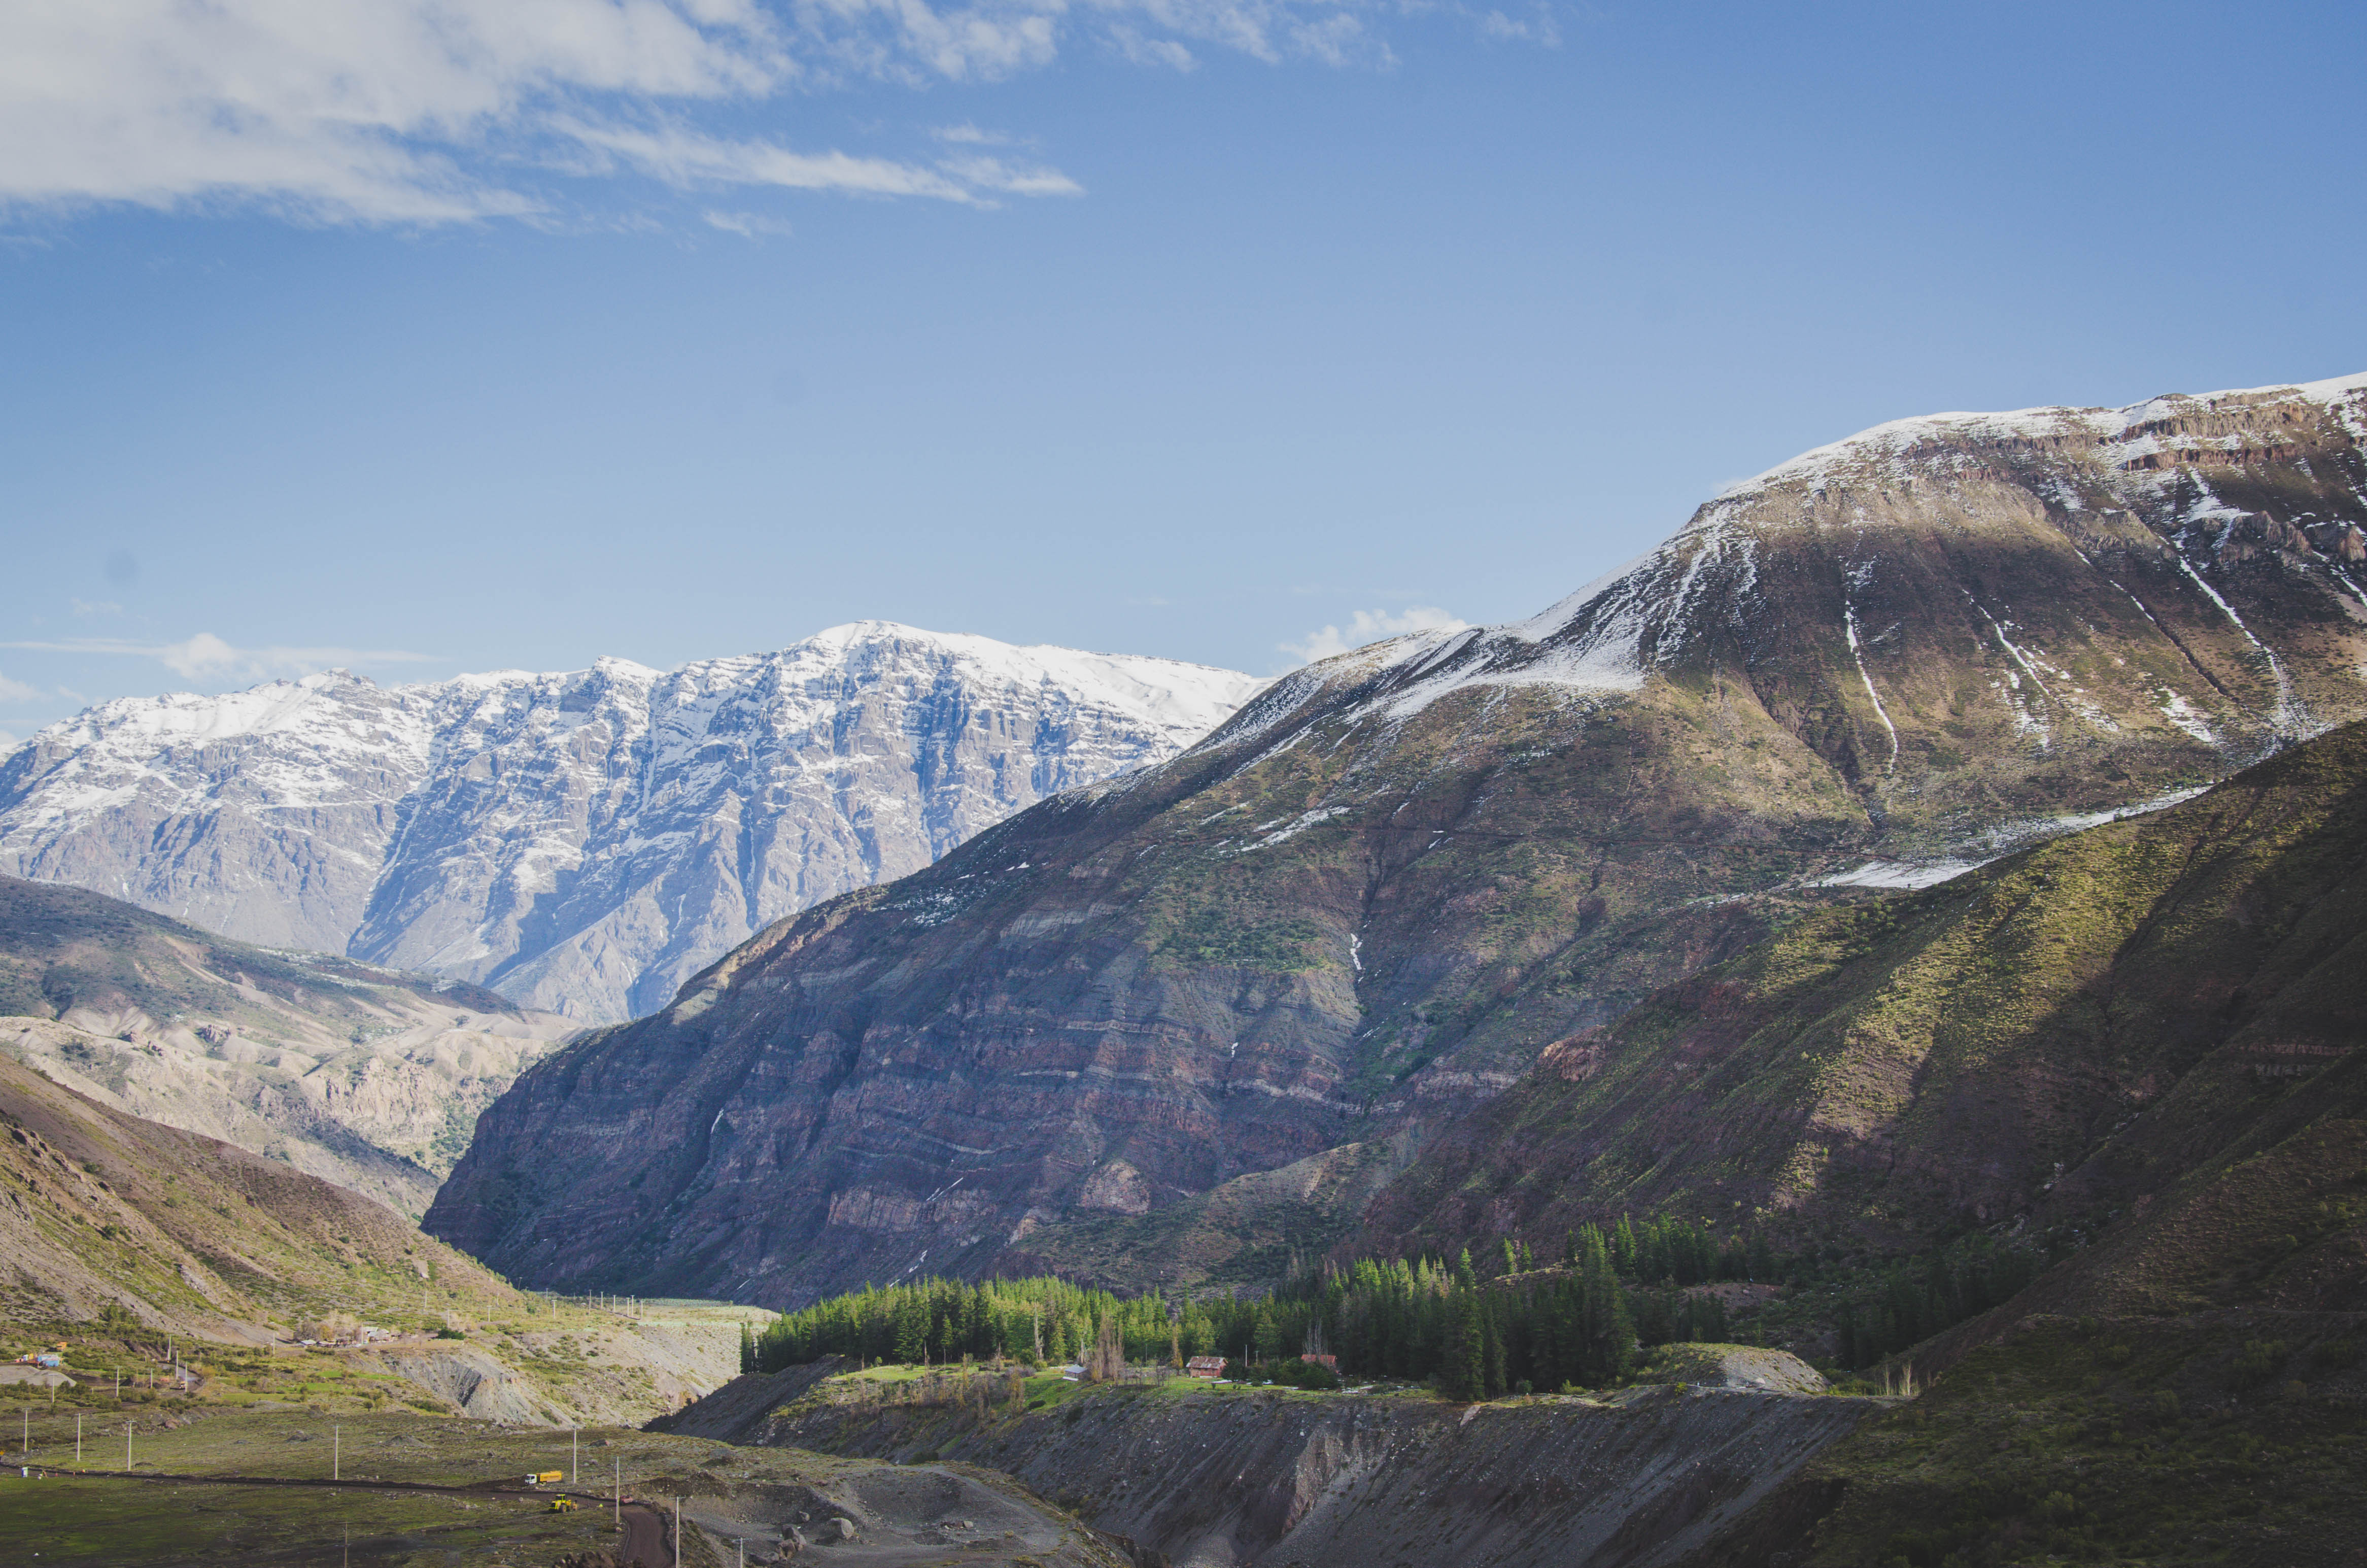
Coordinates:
x,y
581,842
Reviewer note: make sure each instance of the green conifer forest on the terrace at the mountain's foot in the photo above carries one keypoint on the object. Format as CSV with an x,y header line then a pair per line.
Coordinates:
x,y
1481,1325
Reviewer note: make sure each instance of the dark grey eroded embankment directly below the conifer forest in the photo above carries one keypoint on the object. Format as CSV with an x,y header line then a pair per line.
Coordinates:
x,y
1234,1479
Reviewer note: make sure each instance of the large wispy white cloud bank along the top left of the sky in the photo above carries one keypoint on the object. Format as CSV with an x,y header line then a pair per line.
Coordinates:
x,y
456,110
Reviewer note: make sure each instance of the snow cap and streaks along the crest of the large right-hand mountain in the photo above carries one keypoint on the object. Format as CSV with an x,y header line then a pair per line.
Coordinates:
x,y
2165,461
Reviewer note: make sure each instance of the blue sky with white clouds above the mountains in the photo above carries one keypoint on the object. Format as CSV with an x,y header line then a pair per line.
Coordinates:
x,y
458,335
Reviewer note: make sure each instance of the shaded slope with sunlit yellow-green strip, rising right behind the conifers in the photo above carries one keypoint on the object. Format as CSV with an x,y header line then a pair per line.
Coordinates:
x,y
2058,1036
